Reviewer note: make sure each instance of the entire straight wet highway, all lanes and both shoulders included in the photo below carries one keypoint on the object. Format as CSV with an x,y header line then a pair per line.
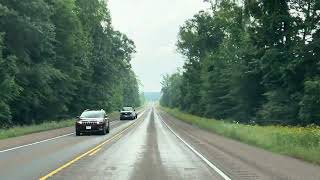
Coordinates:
x,y
155,146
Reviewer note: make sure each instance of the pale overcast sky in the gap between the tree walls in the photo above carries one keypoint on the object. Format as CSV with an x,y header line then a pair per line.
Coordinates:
x,y
153,25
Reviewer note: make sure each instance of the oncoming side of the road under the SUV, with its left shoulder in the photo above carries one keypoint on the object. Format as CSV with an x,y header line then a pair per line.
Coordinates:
x,y
34,161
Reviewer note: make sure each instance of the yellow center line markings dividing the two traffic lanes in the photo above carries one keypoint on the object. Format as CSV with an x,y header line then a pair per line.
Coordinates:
x,y
118,135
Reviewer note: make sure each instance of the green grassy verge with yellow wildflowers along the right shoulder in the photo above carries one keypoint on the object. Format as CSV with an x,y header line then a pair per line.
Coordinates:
x,y
299,142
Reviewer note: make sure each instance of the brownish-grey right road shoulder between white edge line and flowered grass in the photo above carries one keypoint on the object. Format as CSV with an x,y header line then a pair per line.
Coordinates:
x,y
242,161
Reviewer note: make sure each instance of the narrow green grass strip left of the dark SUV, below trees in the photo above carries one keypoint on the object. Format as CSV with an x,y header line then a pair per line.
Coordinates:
x,y
24,130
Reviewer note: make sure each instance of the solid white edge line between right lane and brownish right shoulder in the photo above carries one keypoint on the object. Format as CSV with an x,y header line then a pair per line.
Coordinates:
x,y
222,174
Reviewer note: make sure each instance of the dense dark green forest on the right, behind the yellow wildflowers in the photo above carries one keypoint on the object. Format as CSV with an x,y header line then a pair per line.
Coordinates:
x,y
250,61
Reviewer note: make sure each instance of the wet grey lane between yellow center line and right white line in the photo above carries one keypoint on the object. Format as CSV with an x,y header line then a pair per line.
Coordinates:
x,y
149,151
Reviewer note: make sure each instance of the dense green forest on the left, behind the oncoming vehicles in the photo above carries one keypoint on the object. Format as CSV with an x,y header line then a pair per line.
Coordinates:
x,y
59,57
